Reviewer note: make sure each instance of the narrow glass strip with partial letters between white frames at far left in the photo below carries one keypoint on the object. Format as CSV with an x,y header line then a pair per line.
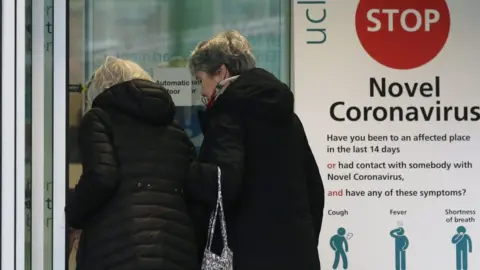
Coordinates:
x,y
41,138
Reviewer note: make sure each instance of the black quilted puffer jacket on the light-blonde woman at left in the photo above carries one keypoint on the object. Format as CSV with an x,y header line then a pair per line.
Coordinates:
x,y
129,201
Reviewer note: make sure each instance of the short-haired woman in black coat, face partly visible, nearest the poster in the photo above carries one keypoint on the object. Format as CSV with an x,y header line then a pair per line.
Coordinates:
x,y
272,190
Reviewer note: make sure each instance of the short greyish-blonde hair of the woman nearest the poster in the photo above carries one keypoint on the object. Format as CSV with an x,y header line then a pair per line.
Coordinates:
x,y
229,48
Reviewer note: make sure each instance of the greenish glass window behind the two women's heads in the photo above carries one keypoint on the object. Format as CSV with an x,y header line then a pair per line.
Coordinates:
x,y
159,33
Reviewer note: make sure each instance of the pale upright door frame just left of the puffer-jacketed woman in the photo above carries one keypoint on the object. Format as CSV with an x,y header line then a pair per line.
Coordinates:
x,y
60,128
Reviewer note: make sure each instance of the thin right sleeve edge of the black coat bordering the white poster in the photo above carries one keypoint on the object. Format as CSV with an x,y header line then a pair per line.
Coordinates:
x,y
316,191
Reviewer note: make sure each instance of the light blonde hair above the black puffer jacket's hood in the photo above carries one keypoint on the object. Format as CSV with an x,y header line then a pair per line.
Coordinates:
x,y
113,71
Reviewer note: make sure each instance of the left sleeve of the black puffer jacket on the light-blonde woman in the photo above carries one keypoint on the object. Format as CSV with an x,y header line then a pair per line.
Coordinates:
x,y
99,179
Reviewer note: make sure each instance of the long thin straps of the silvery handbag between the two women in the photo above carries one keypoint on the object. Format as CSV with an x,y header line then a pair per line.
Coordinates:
x,y
218,212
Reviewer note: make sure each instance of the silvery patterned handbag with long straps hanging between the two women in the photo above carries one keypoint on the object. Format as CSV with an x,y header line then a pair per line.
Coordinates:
x,y
212,261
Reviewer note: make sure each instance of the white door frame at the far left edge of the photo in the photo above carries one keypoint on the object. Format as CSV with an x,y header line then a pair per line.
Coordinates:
x,y
13,134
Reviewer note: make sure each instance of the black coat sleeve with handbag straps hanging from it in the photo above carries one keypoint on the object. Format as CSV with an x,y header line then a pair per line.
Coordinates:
x,y
222,147
